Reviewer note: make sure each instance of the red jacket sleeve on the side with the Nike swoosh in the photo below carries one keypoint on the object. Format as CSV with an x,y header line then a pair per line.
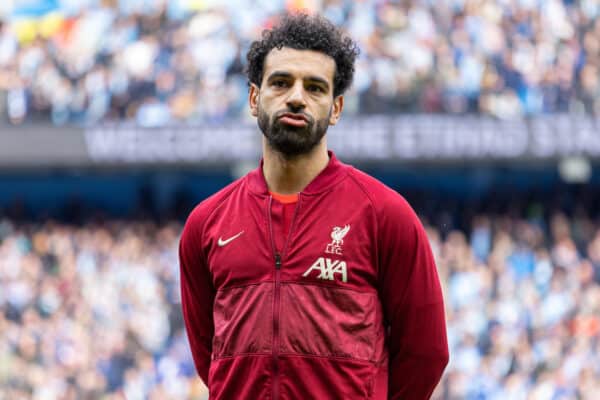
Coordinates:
x,y
197,295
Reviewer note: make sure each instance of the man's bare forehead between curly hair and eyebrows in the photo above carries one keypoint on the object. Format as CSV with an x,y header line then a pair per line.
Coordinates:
x,y
300,63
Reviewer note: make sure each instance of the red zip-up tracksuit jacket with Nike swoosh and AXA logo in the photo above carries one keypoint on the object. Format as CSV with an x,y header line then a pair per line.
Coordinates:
x,y
347,306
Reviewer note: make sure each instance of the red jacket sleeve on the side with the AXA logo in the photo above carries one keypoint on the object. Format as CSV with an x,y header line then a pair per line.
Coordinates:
x,y
413,304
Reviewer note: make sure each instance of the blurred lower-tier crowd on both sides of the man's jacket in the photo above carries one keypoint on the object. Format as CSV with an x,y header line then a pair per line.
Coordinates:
x,y
93,310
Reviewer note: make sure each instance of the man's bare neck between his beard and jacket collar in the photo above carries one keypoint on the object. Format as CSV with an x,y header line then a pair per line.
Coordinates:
x,y
290,175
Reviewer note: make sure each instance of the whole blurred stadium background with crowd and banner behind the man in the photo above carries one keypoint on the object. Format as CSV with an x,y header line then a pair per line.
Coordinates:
x,y
116,117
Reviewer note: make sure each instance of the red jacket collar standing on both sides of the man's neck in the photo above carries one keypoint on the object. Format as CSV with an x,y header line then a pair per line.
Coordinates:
x,y
333,173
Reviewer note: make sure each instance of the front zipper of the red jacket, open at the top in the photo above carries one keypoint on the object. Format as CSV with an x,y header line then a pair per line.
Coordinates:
x,y
277,293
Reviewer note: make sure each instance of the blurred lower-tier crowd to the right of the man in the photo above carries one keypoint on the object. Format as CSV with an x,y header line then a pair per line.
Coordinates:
x,y
523,308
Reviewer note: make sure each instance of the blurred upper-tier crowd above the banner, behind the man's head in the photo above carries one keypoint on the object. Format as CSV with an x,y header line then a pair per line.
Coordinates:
x,y
156,62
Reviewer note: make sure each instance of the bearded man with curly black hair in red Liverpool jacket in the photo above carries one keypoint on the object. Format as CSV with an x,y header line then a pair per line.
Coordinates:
x,y
308,279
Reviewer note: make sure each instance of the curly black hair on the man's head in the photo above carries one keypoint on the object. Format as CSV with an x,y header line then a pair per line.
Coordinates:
x,y
306,32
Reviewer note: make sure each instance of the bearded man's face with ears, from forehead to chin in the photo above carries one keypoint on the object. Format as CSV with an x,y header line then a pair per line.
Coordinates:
x,y
294,104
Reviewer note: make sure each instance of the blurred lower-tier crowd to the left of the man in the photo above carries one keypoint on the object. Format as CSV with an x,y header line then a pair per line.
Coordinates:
x,y
92,312
